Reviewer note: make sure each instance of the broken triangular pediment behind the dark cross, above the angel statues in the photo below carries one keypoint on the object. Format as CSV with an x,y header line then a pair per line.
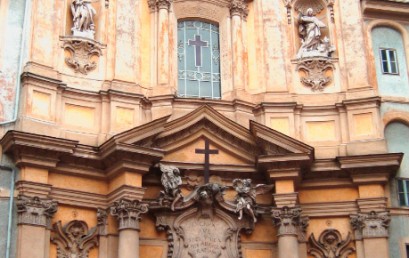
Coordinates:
x,y
237,145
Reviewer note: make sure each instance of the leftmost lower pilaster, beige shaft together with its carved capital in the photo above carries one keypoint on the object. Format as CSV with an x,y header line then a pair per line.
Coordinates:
x,y
34,218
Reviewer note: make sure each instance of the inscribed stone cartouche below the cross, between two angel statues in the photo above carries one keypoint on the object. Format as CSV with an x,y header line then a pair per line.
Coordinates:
x,y
203,225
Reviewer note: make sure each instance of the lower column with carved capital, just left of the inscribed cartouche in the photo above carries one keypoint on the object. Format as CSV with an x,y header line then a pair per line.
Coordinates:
x,y
128,213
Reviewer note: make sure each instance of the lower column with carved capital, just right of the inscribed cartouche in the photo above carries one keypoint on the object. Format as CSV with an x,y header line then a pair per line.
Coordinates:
x,y
291,225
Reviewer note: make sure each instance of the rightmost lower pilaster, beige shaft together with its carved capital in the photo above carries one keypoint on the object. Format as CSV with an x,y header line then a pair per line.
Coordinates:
x,y
371,230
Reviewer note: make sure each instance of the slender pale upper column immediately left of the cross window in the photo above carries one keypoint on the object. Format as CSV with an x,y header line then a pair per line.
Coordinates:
x,y
163,41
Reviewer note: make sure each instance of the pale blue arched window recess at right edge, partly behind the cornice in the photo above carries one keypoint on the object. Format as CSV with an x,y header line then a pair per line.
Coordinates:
x,y
394,133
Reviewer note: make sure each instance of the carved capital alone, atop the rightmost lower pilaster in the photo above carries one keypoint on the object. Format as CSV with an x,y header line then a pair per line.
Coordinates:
x,y
370,225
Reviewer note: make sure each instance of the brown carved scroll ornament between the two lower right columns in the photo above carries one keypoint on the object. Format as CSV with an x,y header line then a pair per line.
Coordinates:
x,y
330,245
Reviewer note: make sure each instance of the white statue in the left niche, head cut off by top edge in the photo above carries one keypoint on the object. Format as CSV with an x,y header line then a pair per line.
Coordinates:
x,y
83,17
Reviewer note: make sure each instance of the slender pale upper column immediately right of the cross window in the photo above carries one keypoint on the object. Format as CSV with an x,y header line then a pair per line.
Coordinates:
x,y
238,12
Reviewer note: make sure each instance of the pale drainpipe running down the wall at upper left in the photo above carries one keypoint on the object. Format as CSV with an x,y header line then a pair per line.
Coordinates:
x,y
26,23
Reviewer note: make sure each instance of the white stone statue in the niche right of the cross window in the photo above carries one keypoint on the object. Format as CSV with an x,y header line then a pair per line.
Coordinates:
x,y
310,32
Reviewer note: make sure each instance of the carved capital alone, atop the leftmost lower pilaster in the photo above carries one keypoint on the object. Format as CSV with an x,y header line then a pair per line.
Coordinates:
x,y
35,211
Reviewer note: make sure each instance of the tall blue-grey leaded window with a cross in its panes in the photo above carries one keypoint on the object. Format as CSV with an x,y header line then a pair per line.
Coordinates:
x,y
198,60
